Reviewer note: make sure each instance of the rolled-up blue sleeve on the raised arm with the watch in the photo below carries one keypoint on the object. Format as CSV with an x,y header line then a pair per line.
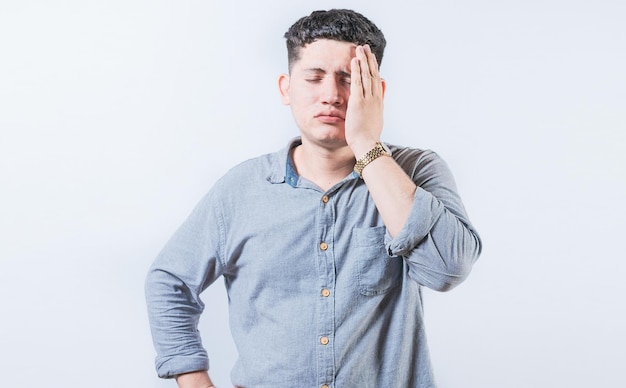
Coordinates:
x,y
438,242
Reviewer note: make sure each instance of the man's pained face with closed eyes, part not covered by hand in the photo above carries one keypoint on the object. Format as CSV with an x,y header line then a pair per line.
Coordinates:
x,y
318,90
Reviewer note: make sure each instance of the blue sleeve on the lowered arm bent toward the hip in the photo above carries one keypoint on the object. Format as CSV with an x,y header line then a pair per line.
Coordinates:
x,y
188,264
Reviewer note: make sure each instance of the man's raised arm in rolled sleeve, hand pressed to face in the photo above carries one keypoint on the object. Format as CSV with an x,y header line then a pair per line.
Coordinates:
x,y
420,208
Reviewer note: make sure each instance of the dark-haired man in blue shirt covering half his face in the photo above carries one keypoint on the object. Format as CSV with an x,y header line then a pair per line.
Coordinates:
x,y
323,246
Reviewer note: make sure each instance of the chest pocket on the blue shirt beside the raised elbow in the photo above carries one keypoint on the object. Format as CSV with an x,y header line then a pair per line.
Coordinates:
x,y
377,272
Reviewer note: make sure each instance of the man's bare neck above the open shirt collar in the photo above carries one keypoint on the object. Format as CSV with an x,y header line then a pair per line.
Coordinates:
x,y
323,166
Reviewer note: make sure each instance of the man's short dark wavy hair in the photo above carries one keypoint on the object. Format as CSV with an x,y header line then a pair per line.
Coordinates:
x,y
336,24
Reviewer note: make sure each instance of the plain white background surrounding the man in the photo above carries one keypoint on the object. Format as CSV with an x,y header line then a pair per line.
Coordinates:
x,y
117,116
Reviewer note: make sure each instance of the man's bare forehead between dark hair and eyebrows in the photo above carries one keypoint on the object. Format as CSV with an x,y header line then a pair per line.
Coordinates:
x,y
326,54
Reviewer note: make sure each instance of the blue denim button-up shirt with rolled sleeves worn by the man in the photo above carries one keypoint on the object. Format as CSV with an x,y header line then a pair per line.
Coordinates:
x,y
319,293
